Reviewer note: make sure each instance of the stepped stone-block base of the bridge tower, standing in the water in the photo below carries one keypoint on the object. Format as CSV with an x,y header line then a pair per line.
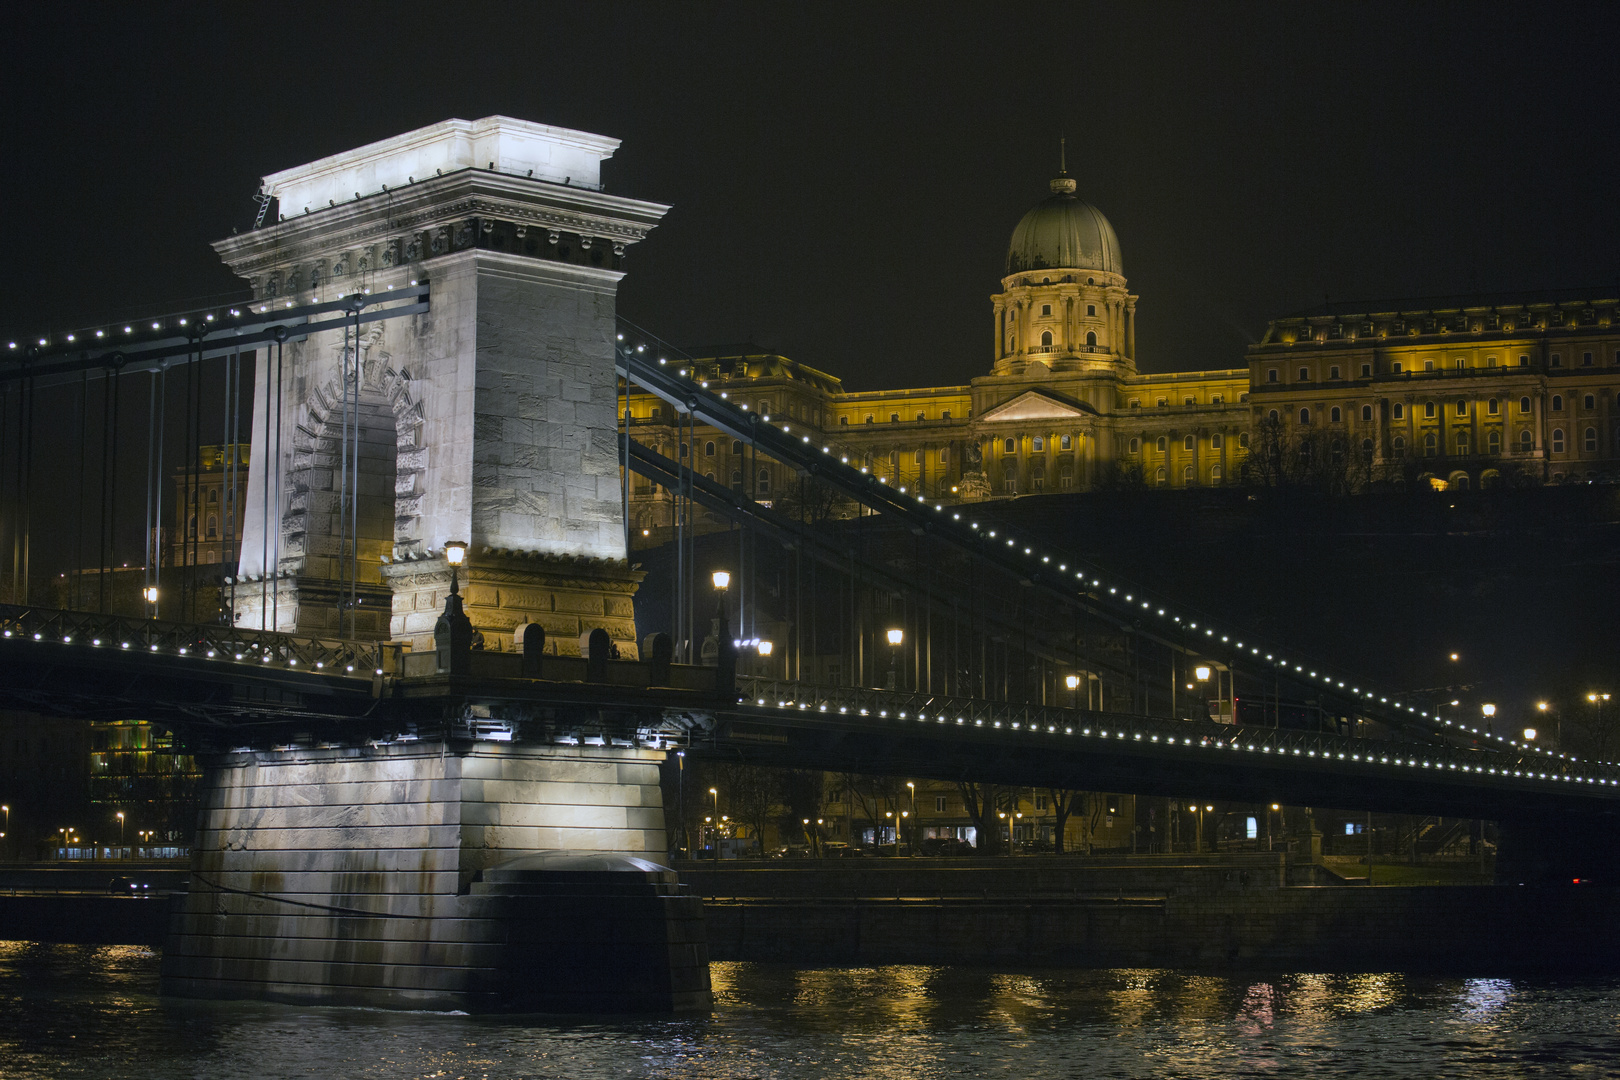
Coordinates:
x,y
438,875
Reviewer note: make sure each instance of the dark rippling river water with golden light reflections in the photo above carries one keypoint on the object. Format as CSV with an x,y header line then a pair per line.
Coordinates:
x,y
93,1011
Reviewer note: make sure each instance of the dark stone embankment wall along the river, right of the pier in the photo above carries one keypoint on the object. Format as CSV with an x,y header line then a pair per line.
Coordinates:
x,y
1133,914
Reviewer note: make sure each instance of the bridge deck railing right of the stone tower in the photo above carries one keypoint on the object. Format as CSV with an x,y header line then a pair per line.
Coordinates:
x,y
1154,731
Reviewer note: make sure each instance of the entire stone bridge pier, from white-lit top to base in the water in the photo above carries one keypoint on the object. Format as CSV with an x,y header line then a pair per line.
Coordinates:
x,y
373,865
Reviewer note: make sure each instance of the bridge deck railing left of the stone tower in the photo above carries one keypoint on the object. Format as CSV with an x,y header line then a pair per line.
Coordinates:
x,y
215,642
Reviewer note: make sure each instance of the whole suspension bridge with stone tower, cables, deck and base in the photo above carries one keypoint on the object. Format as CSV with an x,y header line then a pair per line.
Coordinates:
x,y
419,681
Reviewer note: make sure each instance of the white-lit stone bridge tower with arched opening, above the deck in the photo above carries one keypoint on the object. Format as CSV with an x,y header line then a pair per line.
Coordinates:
x,y
490,419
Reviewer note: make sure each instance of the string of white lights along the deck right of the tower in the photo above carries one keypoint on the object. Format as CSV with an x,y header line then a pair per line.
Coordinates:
x,y
1204,742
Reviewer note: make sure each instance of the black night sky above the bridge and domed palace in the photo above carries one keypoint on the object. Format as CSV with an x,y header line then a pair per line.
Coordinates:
x,y
845,177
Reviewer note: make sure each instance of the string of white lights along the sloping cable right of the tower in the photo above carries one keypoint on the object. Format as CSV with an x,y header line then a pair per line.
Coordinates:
x,y
1300,673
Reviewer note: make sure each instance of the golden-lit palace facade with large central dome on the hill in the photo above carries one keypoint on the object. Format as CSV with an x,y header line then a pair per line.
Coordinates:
x,y
1452,394
